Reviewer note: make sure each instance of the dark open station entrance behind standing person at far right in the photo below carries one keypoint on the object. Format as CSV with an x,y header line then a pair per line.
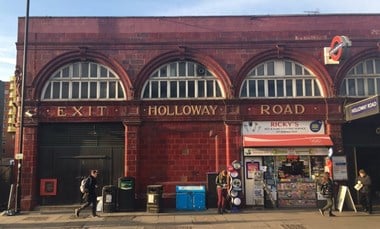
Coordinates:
x,y
368,158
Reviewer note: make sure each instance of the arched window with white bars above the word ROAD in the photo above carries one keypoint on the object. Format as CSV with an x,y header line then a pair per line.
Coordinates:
x,y
280,79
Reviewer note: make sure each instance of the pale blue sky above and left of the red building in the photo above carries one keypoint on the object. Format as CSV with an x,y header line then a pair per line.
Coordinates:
x,y
10,10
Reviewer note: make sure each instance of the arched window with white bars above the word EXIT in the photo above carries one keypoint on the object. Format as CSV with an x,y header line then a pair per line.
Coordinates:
x,y
83,81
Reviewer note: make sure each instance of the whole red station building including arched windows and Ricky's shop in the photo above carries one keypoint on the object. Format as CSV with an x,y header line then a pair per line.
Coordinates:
x,y
171,100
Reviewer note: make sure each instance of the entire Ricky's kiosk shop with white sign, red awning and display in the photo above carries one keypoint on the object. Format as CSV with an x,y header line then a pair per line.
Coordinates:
x,y
283,163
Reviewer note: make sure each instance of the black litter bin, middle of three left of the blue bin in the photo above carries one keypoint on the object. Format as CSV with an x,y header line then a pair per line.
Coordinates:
x,y
126,194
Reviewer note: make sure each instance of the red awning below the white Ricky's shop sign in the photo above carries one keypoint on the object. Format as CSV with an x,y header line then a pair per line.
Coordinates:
x,y
286,140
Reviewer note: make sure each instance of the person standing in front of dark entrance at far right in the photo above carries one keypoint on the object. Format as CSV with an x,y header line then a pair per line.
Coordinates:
x,y
365,191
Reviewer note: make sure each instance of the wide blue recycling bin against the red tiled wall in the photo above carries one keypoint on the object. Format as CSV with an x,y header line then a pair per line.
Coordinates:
x,y
191,198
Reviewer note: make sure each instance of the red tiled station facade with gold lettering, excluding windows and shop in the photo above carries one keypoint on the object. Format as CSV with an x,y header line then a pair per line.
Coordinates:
x,y
185,148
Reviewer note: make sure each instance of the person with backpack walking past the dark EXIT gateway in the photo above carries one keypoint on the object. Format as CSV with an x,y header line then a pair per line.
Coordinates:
x,y
89,195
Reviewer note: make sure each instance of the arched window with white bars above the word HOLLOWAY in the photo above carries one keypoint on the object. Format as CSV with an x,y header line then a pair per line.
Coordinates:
x,y
182,80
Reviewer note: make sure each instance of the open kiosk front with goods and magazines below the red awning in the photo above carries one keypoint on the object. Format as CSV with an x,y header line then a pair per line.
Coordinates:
x,y
287,180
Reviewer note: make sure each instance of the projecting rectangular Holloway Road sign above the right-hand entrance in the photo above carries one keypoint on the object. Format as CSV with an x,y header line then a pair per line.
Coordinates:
x,y
362,108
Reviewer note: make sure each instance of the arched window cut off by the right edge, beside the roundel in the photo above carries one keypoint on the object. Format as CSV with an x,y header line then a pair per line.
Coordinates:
x,y
362,80
